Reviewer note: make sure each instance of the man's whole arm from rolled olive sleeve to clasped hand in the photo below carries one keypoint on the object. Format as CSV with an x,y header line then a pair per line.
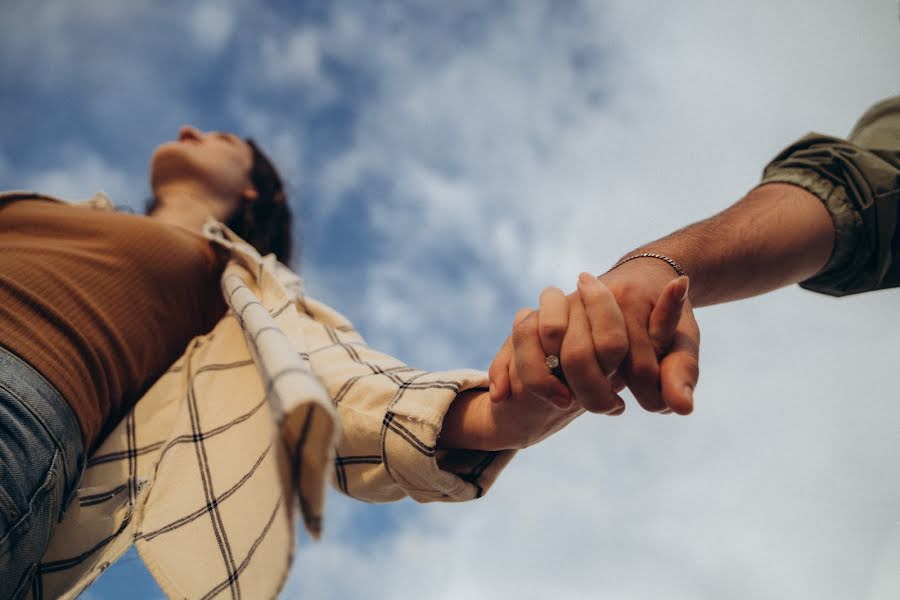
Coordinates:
x,y
826,215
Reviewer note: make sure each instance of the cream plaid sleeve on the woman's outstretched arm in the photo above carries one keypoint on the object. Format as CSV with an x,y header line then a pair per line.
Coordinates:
x,y
391,415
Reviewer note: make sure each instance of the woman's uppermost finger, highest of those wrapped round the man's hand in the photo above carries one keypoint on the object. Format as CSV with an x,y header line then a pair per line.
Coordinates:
x,y
607,325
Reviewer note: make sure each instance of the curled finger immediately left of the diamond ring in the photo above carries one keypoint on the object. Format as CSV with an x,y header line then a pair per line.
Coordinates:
x,y
529,359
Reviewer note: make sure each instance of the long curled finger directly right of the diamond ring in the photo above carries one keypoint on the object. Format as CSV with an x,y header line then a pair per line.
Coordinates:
x,y
579,363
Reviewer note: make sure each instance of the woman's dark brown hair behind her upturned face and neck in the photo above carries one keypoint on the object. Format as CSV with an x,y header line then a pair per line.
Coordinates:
x,y
265,223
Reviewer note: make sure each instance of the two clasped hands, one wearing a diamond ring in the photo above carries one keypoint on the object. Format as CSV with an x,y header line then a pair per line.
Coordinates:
x,y
631,327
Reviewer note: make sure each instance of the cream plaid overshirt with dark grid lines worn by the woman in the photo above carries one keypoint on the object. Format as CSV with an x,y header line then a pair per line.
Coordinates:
x,y
206,473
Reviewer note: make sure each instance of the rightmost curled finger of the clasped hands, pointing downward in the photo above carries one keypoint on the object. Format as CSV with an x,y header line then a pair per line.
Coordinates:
x,y
680,368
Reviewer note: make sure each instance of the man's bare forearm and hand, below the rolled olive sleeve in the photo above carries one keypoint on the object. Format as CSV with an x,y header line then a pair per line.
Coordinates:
x,y
777,235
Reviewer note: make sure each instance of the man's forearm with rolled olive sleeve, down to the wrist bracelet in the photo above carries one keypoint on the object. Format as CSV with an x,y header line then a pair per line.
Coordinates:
x,y
826,206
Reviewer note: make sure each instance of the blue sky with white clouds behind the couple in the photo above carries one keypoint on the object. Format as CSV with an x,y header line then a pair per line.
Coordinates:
x,y
450,159
